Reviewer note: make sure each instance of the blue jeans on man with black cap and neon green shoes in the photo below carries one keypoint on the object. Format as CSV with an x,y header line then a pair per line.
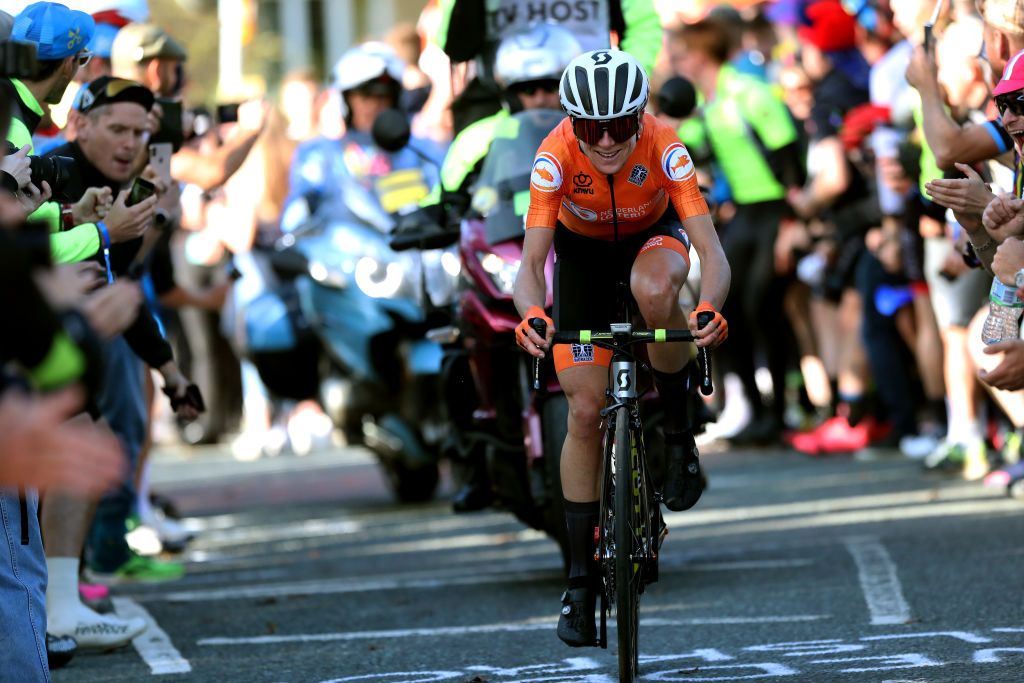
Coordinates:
x,y
122,402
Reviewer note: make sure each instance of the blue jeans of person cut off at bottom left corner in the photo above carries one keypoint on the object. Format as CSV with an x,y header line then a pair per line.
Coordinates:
x,y
23,591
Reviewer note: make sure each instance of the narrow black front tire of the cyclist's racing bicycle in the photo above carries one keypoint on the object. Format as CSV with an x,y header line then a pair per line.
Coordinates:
x,y
628,568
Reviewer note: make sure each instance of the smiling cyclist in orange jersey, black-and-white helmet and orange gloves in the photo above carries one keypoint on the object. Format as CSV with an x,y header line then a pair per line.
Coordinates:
x,y
633,226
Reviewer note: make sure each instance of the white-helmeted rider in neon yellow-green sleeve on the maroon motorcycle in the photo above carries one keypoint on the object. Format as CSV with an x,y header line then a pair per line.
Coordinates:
x,y
528,67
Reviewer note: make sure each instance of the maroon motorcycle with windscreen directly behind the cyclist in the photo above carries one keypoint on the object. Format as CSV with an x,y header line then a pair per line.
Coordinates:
x,y
496,416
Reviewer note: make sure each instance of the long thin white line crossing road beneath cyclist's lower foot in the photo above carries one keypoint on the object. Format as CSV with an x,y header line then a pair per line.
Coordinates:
x,y
518,627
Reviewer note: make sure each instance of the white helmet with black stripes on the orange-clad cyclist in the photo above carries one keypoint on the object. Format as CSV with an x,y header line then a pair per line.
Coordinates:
x,y
604,84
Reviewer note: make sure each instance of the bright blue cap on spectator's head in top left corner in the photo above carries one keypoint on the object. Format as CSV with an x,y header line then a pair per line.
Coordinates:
x,y
58,31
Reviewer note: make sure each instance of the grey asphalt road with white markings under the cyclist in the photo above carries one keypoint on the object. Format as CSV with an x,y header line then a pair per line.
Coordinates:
x,y
791,569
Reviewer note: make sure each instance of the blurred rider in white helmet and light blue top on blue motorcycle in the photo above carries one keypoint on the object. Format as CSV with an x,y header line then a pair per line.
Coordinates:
x,y
369,79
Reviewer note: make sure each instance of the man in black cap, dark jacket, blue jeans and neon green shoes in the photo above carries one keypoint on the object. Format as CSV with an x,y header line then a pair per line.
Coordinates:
x,y
113,117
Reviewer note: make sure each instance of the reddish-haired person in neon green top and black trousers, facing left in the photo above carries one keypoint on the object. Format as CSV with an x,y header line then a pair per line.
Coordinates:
x,y
754,142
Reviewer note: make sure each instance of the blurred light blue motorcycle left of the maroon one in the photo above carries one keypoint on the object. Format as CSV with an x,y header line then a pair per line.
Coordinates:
x,y
349,326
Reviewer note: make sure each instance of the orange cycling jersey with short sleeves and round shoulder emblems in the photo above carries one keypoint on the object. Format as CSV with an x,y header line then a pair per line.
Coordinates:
x,y
565,186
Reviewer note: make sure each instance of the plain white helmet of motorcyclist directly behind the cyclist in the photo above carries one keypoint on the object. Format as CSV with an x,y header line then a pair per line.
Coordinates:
x,y
538,54
